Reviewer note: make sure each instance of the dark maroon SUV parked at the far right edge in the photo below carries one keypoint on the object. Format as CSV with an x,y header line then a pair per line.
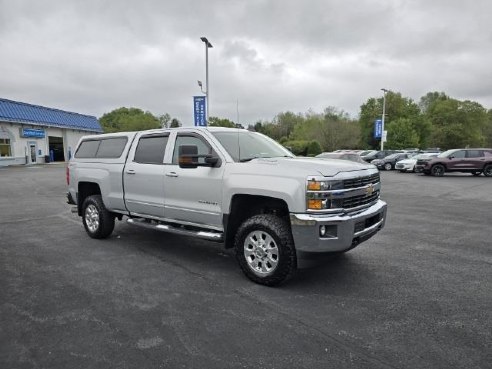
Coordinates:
x,y
474,161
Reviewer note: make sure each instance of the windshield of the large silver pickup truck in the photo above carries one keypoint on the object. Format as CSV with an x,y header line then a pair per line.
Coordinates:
x,y
246,145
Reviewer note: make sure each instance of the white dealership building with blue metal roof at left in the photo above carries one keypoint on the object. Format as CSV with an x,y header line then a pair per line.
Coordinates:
x,y
33,134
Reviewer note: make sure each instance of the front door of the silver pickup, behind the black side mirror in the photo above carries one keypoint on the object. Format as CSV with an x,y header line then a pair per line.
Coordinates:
x,y
194,195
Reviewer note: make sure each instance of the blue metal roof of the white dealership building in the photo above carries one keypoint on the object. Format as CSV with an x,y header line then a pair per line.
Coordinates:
x,y
18,112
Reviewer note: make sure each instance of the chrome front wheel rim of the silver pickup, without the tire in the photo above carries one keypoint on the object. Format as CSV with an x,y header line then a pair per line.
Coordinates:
x,y
261,253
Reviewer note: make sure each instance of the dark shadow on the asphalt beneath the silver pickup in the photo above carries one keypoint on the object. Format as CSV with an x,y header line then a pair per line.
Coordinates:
x,y
211,260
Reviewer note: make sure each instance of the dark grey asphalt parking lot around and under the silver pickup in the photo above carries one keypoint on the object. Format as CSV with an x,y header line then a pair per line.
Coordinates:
x,y
417,295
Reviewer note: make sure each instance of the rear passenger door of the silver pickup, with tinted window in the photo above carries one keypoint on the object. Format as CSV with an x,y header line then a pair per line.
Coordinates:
x,y
143,176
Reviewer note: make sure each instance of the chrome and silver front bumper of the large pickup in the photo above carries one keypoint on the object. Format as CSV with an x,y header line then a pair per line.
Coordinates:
x,y
343,231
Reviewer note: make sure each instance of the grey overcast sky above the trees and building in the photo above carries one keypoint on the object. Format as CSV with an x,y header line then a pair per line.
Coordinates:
x,y
268,56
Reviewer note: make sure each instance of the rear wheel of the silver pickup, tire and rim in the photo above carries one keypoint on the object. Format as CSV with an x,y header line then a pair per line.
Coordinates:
x,y
98,221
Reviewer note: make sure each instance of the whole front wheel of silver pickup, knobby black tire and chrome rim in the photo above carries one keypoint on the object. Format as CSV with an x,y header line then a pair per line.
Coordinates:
x,y
265,249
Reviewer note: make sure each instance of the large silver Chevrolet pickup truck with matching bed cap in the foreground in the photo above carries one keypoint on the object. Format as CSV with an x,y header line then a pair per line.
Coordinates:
x,y
279,212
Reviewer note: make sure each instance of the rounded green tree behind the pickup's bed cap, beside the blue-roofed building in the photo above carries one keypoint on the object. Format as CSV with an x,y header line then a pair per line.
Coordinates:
x,y
128,119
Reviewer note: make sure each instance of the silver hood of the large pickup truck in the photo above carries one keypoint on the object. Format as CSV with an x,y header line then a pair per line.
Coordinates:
x,y
312,166
